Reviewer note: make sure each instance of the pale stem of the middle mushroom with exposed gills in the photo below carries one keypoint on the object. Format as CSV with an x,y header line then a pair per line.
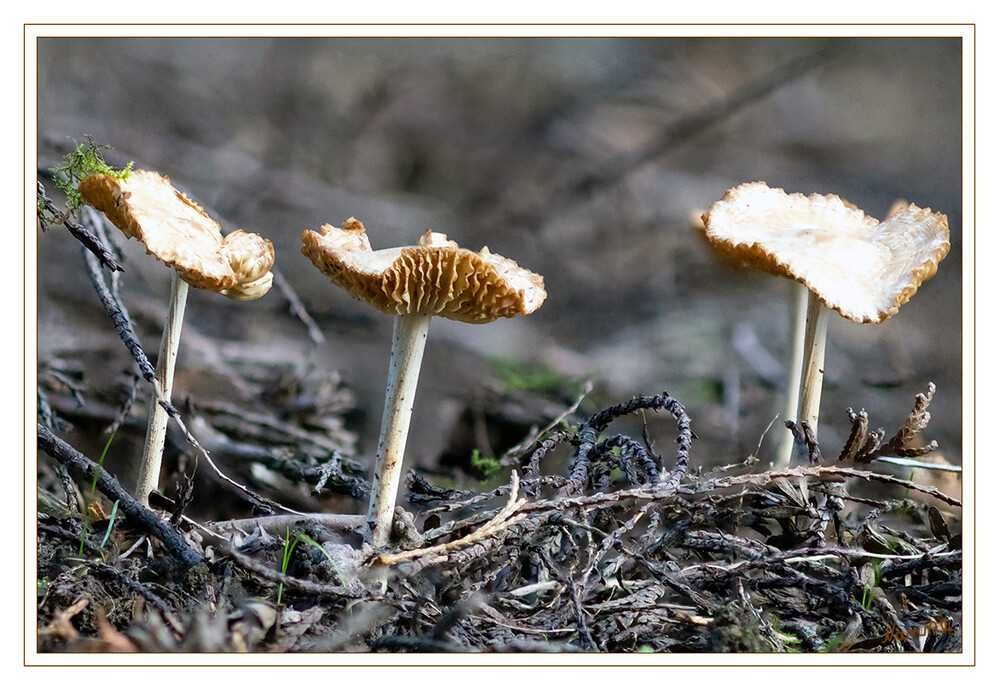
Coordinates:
x,y
409,338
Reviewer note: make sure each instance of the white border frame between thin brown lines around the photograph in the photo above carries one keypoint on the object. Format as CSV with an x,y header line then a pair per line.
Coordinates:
x,y
965,31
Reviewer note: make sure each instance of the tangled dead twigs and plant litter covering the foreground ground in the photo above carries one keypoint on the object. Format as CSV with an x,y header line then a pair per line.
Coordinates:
x,y
622,551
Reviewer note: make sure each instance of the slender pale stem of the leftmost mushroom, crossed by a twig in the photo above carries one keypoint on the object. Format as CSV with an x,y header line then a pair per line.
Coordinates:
x,y
152,456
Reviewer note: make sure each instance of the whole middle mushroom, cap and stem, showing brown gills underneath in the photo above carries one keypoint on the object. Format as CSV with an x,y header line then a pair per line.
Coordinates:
x,y
434,278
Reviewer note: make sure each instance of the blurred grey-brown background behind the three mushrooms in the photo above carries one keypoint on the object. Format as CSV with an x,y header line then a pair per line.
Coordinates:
x,y
583,159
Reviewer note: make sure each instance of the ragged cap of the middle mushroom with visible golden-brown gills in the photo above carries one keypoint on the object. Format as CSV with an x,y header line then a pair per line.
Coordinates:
x,y
436,277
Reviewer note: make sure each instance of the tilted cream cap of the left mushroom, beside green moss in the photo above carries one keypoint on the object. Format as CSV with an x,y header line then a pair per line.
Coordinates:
x,y
177,231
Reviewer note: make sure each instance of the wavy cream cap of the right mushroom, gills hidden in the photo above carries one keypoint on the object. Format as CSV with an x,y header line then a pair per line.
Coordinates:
x,y
862,268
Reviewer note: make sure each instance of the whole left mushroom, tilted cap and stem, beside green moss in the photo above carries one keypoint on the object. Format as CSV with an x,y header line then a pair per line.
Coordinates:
x,y
178,232
